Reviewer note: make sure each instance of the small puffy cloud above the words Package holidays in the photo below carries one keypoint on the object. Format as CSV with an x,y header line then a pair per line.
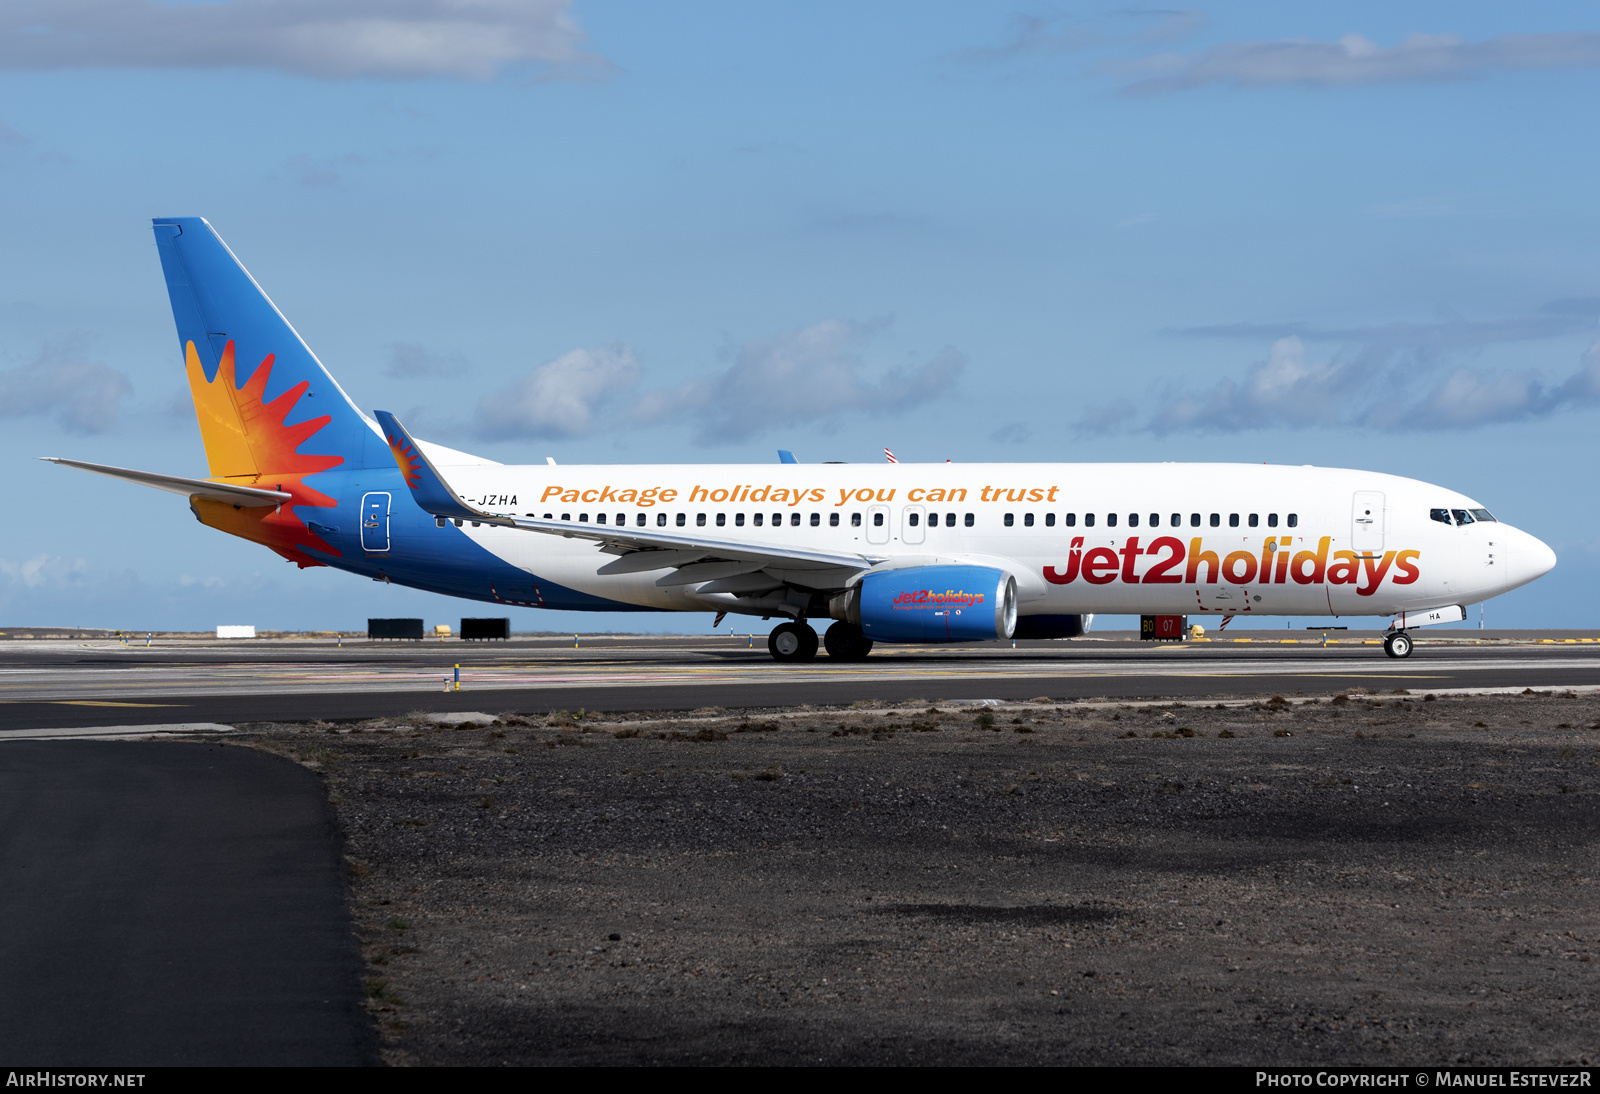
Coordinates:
x,y
562,397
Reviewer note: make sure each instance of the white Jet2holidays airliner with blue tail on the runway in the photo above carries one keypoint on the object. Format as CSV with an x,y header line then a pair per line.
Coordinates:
x,y
886,553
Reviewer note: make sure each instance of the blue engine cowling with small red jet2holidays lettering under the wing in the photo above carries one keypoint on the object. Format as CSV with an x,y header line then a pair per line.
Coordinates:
x,y
932,604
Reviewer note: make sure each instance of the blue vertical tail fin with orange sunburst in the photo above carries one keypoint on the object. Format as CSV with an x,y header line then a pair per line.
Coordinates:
x,y
266,405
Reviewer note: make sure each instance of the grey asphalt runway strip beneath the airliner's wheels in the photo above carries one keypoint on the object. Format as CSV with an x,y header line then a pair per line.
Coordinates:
x,y
65,684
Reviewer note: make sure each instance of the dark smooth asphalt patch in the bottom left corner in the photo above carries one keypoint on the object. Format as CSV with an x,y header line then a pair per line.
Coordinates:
x,y
174,904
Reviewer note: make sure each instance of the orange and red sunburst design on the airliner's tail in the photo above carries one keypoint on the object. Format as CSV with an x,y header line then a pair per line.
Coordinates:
x,y
249,444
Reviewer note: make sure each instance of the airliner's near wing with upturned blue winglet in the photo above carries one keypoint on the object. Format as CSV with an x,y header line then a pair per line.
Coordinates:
x,y
676,549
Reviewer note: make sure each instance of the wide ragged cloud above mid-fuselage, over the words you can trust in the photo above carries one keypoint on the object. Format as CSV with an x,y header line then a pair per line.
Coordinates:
x,y
807,377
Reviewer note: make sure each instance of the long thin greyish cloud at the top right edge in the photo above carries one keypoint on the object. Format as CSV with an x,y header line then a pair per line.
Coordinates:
x,y
1356,60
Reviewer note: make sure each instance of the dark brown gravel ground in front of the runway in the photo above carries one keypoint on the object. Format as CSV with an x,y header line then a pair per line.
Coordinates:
x,y
1364,879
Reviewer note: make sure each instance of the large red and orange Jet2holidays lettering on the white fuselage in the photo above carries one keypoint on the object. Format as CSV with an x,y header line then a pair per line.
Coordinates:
x,y
1169,562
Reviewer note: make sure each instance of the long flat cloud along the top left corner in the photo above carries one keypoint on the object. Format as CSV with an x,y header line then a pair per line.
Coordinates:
x,y
329,39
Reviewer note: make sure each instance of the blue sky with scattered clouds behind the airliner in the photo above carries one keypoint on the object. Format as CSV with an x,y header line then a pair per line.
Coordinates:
x,y
1353,236
